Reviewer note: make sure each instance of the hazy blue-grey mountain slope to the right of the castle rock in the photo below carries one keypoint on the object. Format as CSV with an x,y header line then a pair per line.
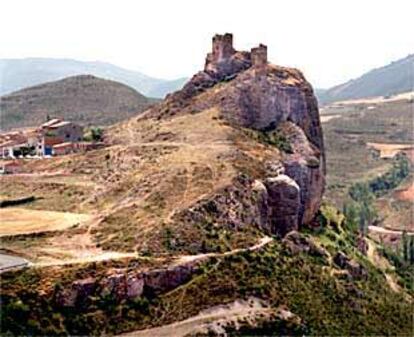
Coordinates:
x,y
397,77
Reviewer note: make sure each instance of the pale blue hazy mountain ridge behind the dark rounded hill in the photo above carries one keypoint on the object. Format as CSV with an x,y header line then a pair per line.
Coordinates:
x,y
16,74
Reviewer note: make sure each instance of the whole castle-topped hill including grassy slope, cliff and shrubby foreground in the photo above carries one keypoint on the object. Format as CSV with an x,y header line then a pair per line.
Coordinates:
x,y
207,208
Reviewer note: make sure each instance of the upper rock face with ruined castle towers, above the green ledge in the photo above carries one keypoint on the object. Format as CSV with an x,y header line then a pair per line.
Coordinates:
x,y
260,95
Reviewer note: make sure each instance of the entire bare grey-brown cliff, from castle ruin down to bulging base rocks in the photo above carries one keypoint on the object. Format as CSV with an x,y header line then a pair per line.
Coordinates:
x,y
257,95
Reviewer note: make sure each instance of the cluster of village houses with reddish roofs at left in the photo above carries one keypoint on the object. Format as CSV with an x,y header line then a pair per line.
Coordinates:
x,y
55,137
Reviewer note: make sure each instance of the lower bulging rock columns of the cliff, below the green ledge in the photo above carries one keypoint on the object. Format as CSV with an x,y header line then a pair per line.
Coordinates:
x,y
292,192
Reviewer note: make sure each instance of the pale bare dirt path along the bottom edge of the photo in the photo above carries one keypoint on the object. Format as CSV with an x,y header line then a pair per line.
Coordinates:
x,y
211,319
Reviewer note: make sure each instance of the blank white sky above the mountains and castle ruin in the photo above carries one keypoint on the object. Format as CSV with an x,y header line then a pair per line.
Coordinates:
x,y
330,41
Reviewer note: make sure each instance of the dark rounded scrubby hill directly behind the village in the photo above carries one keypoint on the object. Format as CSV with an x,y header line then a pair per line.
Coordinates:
x,y
85,99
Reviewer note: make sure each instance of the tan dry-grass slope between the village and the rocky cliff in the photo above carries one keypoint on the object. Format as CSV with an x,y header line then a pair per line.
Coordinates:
x,y
150,171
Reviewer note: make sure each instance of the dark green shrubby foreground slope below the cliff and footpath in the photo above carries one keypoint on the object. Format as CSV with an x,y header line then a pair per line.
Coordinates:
x,y
328,300
